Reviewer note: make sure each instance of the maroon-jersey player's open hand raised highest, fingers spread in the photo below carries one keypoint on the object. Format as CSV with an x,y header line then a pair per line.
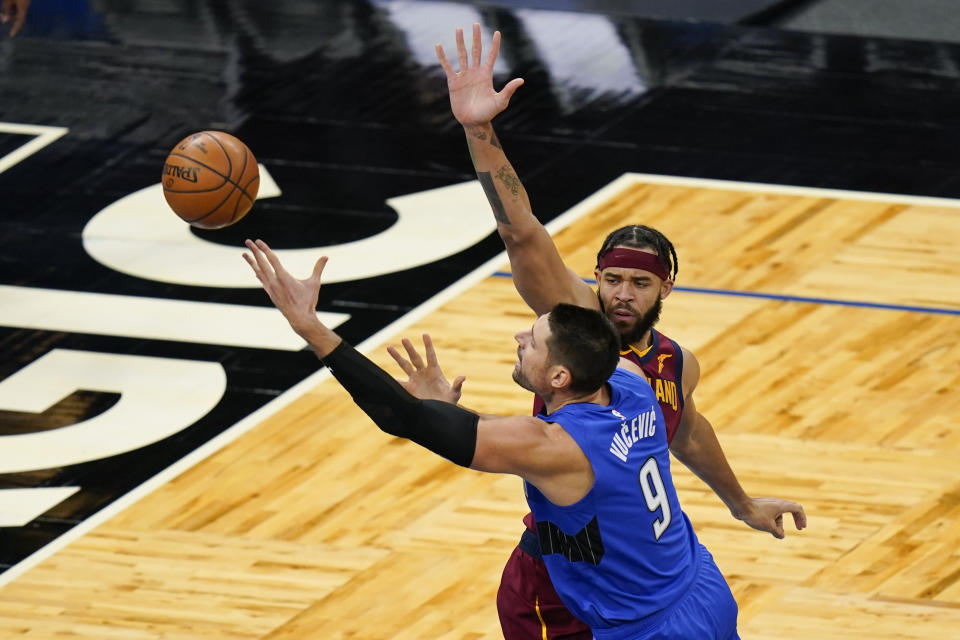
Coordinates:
x,y
472,96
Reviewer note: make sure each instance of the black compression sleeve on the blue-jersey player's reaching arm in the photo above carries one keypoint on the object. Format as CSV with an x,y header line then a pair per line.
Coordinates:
x,y
441,427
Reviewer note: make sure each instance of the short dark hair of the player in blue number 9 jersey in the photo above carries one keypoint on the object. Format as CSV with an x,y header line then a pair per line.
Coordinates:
x,y
585,342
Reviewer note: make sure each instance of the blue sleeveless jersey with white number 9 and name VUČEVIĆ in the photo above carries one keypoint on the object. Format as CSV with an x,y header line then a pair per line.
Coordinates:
x,y
624,551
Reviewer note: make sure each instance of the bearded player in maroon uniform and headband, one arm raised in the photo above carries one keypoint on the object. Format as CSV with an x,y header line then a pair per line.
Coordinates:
x,y
635,272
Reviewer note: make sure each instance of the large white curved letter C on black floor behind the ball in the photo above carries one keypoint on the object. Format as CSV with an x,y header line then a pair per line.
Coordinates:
x,y
140,236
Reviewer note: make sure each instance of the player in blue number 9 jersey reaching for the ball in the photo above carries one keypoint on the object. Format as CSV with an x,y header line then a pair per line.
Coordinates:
x,y
621,553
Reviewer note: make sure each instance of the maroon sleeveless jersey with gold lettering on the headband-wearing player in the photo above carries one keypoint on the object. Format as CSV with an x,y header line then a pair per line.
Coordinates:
x,y
662,364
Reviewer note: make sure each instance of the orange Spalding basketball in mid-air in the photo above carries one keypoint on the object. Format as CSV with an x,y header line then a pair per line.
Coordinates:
x,y
210,179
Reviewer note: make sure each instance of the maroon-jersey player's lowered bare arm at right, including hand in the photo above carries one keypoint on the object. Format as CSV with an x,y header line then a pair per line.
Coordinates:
x,y
695,444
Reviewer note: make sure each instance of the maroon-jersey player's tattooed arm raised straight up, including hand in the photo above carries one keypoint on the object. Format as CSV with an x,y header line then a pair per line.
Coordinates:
x,y
539,274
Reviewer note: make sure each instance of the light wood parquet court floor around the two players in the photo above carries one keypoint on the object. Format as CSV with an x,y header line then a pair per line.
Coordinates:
x,y
317,525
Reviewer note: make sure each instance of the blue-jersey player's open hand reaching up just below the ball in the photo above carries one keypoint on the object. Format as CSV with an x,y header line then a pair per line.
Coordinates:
x,y
296,299
